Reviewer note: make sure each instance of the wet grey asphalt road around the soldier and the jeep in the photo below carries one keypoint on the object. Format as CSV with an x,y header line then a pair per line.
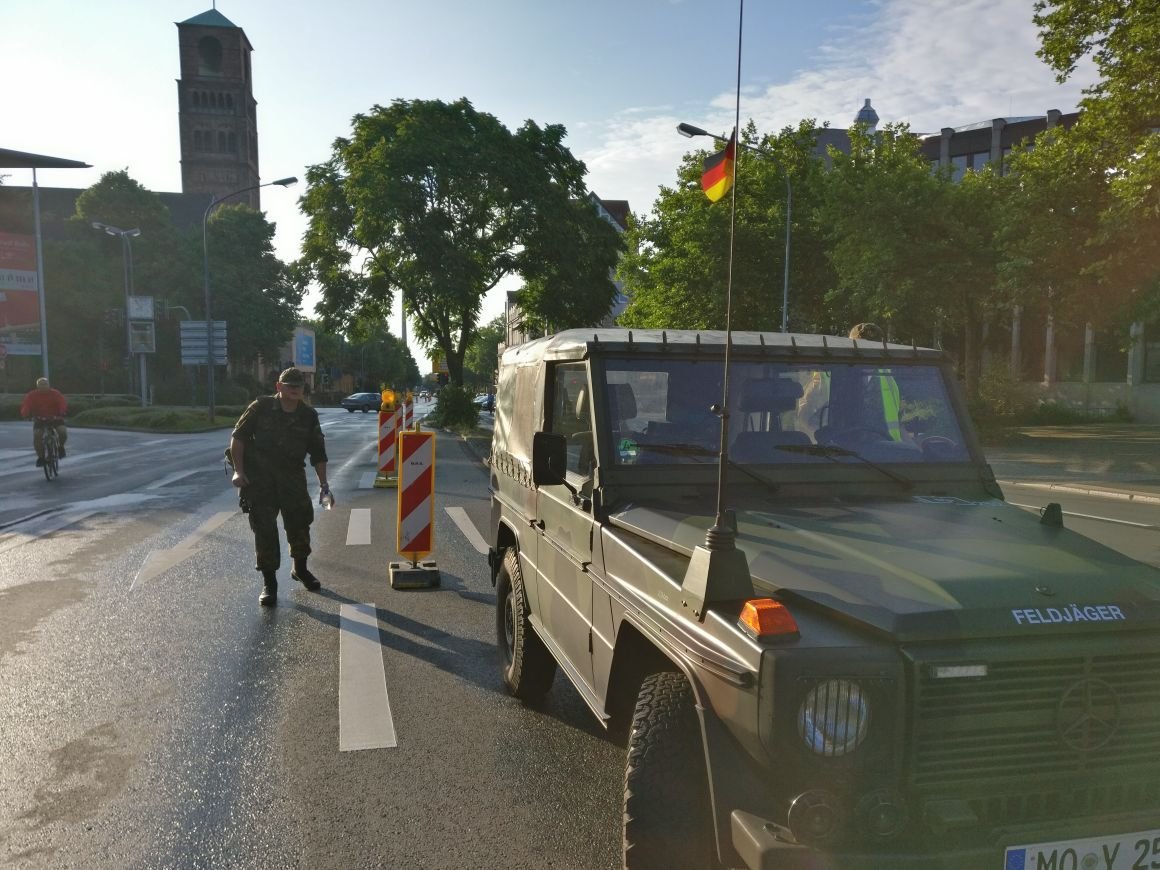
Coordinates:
x,y
154,716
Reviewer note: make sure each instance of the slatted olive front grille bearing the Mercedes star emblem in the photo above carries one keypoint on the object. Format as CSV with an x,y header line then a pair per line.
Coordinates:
x,y
1091,720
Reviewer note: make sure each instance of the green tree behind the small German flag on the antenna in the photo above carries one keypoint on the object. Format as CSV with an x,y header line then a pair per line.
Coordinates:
x,y
677,266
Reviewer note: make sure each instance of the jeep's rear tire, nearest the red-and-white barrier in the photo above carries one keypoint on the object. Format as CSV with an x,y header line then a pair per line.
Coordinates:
x,y
528,668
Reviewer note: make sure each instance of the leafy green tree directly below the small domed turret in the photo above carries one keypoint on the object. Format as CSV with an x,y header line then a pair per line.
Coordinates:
x,y
913,251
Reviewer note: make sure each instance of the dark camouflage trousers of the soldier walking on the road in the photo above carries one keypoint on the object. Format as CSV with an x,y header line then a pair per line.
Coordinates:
x,y
269,497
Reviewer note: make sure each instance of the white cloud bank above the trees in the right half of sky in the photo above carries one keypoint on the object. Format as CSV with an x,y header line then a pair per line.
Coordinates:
x,y
929,63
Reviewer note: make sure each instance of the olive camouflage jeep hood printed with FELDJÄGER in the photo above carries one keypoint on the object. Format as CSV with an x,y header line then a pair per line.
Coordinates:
x,y
929,568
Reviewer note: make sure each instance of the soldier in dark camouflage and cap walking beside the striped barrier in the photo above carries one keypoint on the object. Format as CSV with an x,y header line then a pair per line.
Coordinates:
x,y
269,446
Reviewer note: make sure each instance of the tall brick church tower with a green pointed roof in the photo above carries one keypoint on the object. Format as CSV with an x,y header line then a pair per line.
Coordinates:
x,y
216,111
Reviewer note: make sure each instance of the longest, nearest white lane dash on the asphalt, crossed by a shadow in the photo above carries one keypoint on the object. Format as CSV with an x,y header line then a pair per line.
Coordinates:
x,y
365,709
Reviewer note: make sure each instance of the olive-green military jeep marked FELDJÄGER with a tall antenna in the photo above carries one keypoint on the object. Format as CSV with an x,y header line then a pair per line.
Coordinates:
x,y
910,672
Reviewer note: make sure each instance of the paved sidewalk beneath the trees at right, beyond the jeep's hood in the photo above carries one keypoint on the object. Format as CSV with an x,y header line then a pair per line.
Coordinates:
x,y
1113,458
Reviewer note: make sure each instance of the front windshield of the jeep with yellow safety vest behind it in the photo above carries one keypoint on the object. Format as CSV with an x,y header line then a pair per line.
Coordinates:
x,y
781,414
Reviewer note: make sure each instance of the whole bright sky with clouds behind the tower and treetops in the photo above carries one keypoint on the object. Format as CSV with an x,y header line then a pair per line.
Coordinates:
x,y
619,75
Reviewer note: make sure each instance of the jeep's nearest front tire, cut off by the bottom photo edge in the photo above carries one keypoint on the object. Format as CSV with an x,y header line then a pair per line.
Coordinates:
x,y
668,822
